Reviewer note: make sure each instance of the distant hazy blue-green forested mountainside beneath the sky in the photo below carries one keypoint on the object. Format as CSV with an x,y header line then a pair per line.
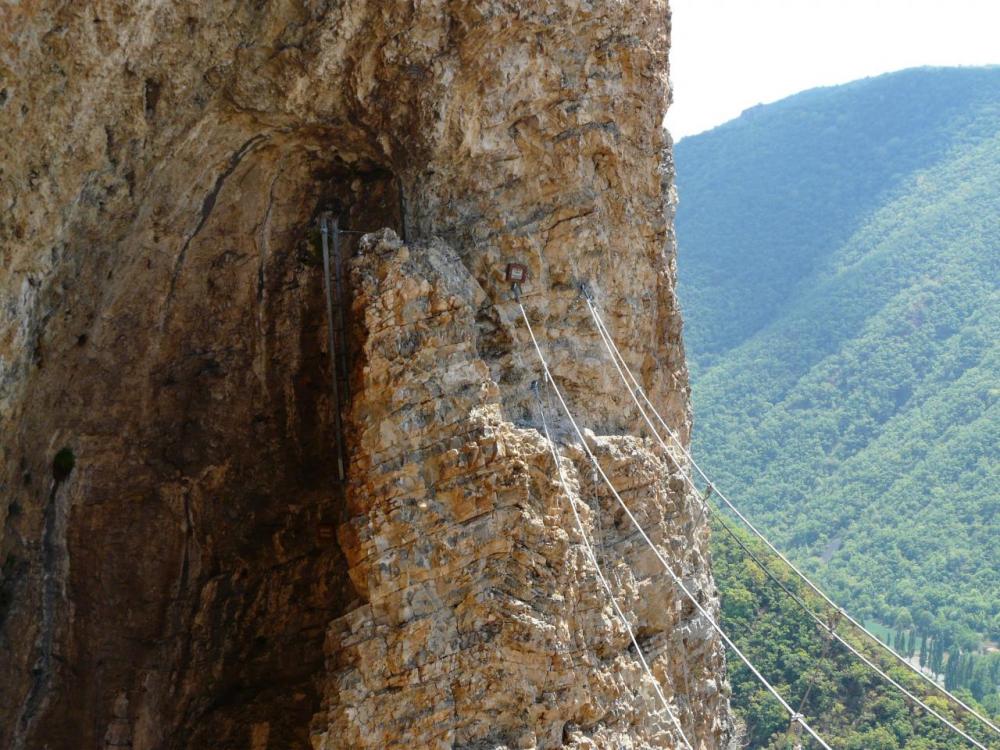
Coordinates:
x,y
839,269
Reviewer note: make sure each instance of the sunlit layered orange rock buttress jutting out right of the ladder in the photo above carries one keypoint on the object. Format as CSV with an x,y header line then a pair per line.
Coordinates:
x,y
483,620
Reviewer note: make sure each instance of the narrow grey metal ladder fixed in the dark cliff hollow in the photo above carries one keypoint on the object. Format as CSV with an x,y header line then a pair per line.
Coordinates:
x,y
336,329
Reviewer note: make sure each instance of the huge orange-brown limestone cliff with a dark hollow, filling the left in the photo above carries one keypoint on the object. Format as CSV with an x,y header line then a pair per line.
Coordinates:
x,y
194,577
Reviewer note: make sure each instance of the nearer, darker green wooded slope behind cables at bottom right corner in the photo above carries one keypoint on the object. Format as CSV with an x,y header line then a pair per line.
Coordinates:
x,y
845,701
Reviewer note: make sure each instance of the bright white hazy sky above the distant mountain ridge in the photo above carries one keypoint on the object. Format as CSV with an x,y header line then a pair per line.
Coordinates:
x,y
728,55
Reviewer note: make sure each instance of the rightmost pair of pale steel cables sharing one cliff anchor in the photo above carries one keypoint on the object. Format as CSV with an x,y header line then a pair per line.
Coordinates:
x,y
617,358
